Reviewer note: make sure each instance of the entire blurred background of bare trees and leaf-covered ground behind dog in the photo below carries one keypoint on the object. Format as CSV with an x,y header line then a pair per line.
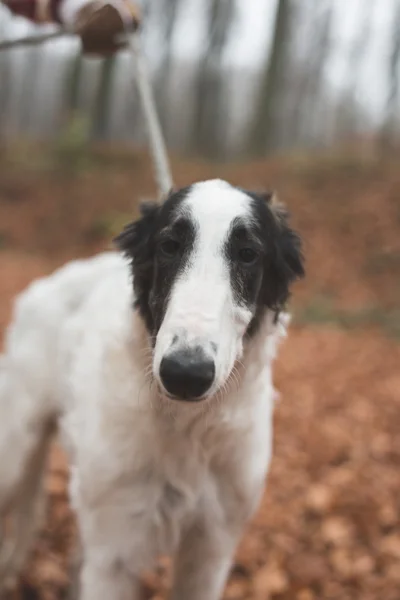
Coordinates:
x,y
300,96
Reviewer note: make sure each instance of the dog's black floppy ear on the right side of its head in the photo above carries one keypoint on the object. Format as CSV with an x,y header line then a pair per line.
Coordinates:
x,y
285,262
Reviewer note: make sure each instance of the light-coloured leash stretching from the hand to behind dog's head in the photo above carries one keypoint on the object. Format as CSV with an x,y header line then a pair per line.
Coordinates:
x,y
158,150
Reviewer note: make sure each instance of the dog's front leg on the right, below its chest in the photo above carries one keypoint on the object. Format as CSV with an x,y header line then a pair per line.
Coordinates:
x,y
203,562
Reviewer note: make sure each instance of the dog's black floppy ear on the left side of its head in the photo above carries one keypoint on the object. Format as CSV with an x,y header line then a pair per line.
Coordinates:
x,y
136,241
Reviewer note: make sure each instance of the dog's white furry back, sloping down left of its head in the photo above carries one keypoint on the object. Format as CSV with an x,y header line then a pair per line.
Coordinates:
x,y
40,313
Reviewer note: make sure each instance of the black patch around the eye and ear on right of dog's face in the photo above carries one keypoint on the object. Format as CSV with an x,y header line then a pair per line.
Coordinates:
x,y
264,257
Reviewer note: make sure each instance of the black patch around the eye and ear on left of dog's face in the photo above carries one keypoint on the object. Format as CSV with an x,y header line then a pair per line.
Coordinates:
x,y
159,246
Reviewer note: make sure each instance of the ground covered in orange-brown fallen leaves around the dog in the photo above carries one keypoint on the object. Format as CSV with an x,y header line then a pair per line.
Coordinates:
x,y
329,524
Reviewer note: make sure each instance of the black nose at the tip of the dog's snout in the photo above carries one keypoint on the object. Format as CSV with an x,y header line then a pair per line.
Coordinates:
x,y
187,374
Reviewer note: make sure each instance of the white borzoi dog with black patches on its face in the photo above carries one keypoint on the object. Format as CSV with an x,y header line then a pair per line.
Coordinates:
x,y
155,363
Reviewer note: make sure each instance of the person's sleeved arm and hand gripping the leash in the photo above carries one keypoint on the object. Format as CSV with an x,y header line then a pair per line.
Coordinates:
x,y
97,22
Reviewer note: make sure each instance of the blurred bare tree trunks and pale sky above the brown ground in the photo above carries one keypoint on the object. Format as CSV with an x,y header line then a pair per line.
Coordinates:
x,y
232,77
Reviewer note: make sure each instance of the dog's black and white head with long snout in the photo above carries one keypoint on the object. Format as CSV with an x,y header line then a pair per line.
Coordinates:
x,y
207,264
